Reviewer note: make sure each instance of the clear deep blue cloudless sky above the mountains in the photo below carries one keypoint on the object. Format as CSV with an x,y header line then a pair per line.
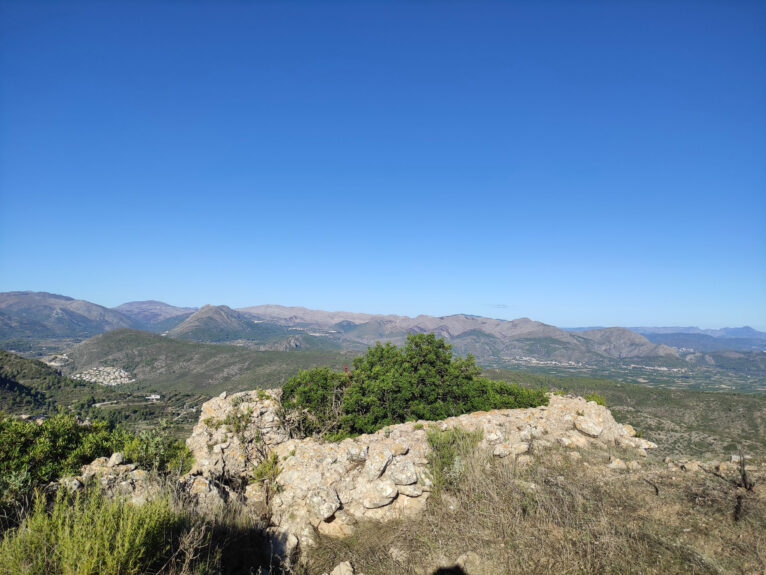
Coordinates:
x,y
580,163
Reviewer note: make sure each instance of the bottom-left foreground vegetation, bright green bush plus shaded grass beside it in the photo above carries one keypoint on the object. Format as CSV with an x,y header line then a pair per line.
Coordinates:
x,y
90,534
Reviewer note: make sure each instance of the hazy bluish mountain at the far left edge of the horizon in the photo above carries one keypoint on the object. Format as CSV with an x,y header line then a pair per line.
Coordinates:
x,y
45,315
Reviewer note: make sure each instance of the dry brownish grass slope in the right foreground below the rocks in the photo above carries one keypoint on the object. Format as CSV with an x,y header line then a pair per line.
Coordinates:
x,y
561,514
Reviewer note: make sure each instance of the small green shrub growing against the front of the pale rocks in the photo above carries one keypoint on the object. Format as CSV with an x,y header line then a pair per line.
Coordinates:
x,y
443,461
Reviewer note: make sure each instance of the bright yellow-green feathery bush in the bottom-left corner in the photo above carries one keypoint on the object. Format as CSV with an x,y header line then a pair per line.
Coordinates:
x,y
90,535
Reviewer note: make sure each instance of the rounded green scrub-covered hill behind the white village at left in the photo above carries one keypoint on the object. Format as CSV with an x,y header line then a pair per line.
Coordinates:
x,y
162,363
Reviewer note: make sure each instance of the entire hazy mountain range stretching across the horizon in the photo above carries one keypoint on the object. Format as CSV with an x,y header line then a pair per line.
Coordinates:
x,y
42,317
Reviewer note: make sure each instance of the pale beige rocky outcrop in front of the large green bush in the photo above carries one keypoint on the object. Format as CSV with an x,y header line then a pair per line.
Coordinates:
x,y
329,487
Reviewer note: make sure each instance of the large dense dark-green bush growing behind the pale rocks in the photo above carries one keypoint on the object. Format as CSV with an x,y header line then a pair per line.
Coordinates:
x,y
388,385
